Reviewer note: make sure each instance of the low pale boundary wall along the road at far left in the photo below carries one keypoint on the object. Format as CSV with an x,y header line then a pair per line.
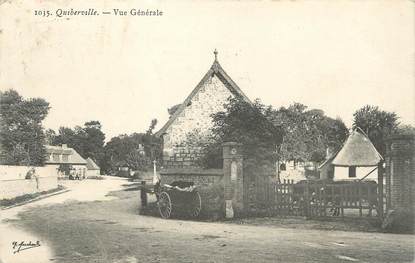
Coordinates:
x,y
14,184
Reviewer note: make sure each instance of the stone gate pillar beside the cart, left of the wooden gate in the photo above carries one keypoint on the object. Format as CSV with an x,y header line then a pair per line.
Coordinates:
x,y
233,178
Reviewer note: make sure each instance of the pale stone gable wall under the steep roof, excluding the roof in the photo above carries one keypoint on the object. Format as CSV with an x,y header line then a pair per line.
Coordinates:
x,y
194,120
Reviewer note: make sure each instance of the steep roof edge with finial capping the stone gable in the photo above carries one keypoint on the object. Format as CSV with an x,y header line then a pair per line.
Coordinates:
x,y
215,69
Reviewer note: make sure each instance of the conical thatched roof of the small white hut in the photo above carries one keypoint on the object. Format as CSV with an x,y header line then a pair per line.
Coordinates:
x,y
357,151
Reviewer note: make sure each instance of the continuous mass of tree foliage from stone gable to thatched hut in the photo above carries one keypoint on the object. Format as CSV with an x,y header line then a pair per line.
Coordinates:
x,y
301,134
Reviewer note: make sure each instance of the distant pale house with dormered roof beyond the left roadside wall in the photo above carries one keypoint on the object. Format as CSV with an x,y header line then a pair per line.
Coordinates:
x,y
66,160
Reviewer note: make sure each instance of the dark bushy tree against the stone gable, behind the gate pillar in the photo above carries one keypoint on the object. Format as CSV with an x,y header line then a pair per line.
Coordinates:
x,y
248,124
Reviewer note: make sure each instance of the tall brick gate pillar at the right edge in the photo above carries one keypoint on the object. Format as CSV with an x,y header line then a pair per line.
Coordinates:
x,y
400,172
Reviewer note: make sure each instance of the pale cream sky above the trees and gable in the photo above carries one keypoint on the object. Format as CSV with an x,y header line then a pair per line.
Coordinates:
x,y
124,71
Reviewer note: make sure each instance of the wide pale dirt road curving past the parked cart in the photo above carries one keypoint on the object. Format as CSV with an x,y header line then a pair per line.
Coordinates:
x,y
109,229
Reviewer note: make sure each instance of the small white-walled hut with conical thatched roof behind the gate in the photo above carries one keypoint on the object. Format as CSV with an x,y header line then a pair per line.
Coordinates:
x,y
357,160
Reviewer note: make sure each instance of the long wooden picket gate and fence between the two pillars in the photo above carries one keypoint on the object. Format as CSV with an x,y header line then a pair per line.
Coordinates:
x,y
265,197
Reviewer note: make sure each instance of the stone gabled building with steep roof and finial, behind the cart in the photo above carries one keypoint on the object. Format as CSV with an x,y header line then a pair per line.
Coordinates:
x,y
193,117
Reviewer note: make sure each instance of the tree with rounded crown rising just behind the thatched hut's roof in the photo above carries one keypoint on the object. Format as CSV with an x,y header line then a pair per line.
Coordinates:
x,y
377,124
